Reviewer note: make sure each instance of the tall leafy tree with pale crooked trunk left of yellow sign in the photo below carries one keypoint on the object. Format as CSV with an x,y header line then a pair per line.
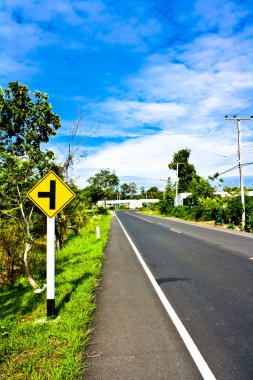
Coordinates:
x,y
26,121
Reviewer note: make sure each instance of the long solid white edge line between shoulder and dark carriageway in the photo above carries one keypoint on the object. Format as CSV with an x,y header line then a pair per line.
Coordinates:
x,y
192,348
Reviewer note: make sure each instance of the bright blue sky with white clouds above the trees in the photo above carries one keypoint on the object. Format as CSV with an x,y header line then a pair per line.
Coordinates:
x,y
156,76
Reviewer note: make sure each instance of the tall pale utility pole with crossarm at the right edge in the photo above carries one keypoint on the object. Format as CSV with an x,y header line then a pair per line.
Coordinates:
x,y
240,162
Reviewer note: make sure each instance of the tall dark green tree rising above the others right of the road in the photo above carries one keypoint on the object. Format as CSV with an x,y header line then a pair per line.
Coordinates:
x,y
186,171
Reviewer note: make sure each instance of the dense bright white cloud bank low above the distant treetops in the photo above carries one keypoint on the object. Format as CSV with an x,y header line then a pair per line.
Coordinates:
x,y
146,159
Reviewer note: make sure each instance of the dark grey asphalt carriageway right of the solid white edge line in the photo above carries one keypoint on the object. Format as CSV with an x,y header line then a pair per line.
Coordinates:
x,y
207,276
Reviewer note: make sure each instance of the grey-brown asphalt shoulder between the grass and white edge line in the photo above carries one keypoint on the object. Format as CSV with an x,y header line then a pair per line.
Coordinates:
x,y
133,337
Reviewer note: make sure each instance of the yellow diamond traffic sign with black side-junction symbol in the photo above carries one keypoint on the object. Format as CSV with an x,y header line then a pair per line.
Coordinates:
x,y
51,194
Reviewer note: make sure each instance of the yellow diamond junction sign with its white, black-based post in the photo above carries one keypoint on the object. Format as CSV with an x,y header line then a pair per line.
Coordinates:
x,y
51,195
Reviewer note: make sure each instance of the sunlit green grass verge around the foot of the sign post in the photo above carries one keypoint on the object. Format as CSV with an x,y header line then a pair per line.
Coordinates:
x,y
32,347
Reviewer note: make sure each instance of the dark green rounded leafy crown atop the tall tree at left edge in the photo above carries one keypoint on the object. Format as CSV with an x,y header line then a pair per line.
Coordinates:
x,y
25,122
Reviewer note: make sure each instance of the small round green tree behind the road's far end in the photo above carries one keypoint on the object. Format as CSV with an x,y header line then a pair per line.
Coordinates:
x,y
107,181
